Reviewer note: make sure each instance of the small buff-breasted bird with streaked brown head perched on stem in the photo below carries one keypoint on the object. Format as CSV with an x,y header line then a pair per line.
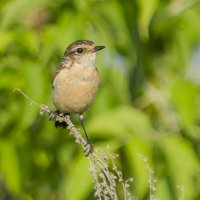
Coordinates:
x,y
75,82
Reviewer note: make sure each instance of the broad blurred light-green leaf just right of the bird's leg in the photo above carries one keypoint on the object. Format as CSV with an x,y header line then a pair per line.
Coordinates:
x,y
125,122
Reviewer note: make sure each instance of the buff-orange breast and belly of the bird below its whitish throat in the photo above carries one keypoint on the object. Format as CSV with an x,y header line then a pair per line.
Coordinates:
x,y
75,89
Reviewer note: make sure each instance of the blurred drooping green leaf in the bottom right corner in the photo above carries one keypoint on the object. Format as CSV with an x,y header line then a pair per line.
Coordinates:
x,y
182,164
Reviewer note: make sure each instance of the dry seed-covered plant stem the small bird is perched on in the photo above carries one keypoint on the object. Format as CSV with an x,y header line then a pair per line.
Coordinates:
x,y
105,177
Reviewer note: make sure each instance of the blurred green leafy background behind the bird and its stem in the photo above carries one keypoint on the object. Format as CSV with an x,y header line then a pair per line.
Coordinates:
x,y
148,102
